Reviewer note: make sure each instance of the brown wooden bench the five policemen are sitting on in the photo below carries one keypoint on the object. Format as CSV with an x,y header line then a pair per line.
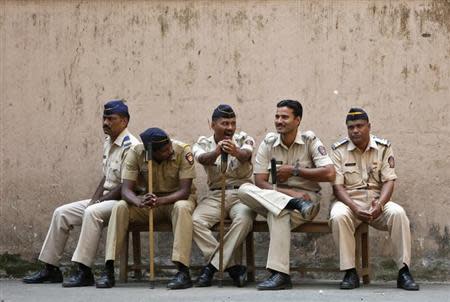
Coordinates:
x,y
361,253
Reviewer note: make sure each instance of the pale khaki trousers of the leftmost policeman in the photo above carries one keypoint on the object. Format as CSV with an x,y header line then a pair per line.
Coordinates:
x,y
92,220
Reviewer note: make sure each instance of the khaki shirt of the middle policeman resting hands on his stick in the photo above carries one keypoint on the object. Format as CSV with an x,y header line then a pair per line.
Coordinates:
x,y
237,172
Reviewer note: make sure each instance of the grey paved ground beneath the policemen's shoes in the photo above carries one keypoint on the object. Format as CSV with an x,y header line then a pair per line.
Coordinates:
x,y
15,290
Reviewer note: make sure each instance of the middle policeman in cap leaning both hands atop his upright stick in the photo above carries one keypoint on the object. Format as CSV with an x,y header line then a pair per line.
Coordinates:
x,y
239,170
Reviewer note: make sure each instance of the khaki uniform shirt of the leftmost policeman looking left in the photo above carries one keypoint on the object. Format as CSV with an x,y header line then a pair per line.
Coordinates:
x,y
113,157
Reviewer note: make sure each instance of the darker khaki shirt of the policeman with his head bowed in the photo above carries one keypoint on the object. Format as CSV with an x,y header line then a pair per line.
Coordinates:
x,y
166,175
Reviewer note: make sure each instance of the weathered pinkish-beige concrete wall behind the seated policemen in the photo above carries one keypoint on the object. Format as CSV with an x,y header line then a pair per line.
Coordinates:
x,y
175,61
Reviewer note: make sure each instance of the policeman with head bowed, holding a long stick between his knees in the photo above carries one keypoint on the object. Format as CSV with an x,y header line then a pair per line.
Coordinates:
x,y
172,197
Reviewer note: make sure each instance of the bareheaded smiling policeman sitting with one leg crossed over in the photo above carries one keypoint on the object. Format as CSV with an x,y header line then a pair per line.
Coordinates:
x,y
303,164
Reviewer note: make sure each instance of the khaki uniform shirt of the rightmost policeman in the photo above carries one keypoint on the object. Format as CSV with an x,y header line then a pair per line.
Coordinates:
x,y
367,170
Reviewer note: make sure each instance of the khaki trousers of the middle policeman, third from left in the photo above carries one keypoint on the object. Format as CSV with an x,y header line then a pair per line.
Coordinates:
x,y
207,214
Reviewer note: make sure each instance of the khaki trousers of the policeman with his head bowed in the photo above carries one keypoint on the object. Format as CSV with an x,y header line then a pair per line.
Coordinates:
x,y
178,213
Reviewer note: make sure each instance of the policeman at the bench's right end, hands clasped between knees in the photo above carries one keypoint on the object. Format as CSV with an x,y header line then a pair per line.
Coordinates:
x,y
363,187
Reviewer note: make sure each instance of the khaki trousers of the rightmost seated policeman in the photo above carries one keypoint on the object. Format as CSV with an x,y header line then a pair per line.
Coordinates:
x,y
393,219
